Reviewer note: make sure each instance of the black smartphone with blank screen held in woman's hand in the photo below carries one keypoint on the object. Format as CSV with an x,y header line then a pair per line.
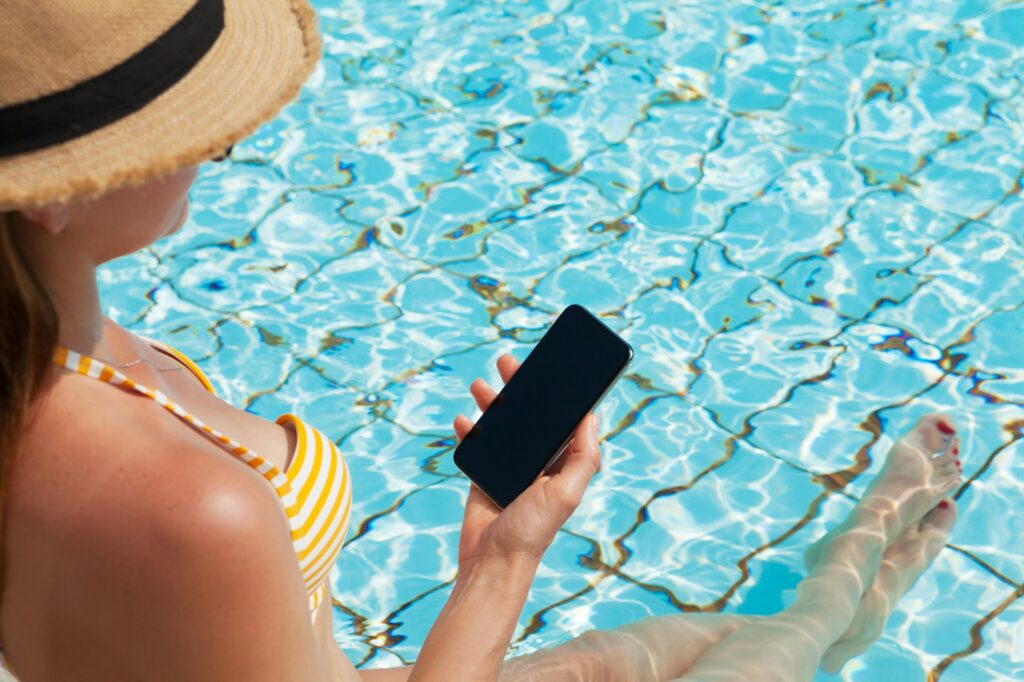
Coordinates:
x,y
533,419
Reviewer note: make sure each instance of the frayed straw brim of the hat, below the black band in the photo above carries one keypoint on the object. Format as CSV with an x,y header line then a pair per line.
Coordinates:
x,y
259,64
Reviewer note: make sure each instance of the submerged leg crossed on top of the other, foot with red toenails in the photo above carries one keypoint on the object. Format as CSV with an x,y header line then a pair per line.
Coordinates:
x,y
791,646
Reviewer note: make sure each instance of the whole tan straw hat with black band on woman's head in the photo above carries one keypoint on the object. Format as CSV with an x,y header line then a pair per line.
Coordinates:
x,y
98,95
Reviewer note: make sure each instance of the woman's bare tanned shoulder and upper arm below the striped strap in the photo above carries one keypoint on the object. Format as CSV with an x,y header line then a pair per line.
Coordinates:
x,y
112,511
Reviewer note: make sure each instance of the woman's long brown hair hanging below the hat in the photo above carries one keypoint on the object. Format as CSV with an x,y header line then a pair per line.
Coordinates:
x,y
29,336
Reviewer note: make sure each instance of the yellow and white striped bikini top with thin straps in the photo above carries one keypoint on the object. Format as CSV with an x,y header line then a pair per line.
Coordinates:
x,y
315,490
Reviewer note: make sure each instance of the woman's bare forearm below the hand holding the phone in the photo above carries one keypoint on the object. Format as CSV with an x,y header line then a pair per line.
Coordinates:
x,y
472,636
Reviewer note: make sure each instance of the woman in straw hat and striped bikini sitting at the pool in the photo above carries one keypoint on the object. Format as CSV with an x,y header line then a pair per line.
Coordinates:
x,y
153,532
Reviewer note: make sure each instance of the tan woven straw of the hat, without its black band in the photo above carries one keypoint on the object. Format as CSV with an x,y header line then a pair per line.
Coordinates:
x,y
259,64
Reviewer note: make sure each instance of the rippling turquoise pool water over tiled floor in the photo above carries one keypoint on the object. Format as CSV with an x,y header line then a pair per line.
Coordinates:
x,y
804,217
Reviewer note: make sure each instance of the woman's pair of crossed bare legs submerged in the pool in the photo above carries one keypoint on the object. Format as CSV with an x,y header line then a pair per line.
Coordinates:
x,y
667,647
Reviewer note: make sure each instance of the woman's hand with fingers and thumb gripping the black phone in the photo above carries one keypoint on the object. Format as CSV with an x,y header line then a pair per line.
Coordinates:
x,y
528,527
